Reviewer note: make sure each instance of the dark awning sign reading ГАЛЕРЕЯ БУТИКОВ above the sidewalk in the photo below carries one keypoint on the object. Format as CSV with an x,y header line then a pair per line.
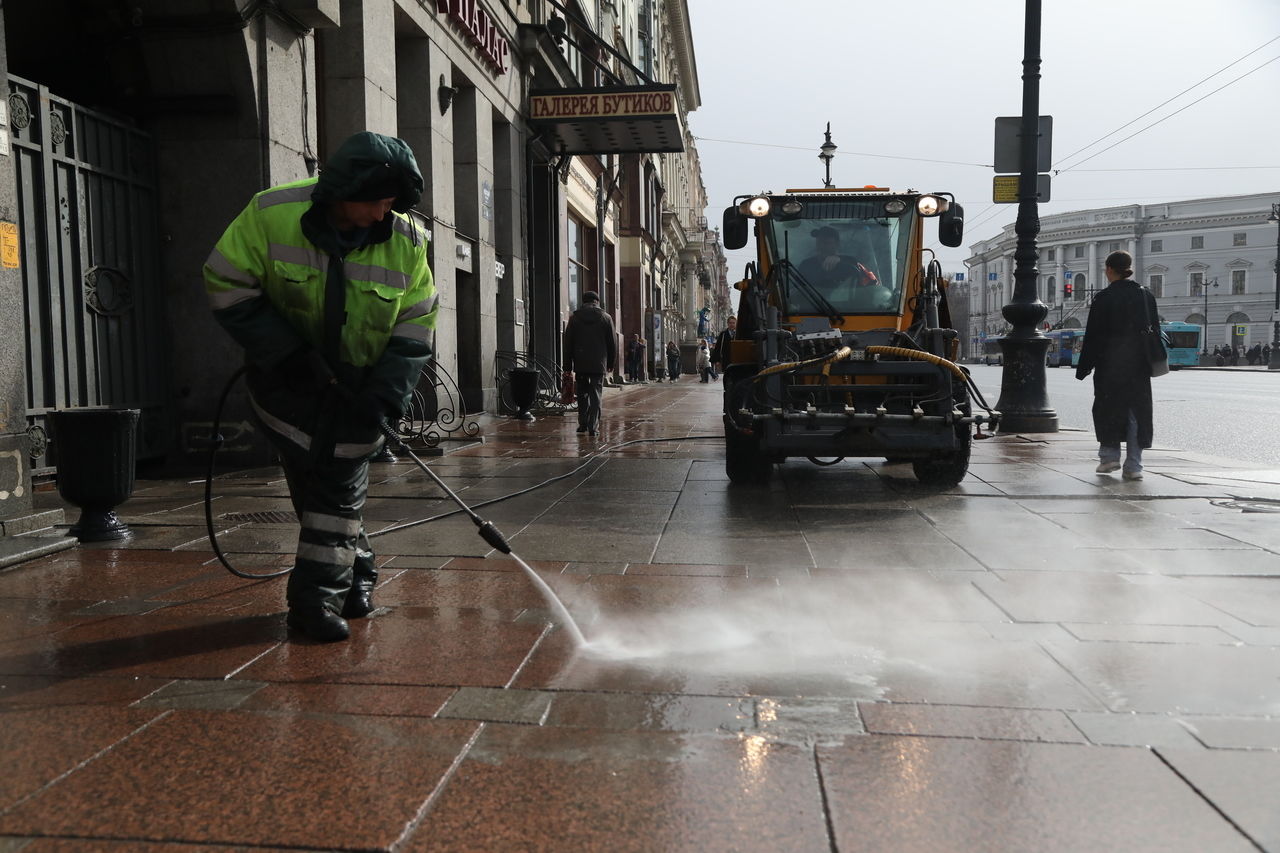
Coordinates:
x,y
619,120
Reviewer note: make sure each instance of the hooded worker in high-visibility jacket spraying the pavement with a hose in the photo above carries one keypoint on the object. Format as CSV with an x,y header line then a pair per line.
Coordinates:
x,y
326,285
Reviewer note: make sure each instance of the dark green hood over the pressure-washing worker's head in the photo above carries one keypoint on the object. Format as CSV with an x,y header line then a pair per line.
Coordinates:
x,y
368,161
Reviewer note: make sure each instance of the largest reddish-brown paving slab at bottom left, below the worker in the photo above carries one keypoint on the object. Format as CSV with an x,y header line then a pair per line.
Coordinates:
x,y
231,778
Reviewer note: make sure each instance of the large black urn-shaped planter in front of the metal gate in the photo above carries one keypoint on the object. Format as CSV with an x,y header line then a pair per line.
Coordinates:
x,y
97,458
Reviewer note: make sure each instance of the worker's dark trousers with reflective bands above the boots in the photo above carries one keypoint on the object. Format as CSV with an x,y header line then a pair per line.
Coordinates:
x,y
328,495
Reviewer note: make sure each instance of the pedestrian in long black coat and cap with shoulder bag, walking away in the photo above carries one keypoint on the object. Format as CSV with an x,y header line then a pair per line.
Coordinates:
x,y
1116,353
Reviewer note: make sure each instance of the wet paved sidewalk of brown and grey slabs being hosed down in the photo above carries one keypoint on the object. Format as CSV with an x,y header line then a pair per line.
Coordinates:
x,y
1041,659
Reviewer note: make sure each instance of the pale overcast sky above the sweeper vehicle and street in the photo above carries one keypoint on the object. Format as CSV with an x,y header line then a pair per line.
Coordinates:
x,y
926,80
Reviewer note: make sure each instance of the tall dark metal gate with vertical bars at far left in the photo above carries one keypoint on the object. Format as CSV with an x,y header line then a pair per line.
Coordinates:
x,y
89,241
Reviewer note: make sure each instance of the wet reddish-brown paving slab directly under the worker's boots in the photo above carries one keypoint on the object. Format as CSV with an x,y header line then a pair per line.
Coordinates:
x,y
408,647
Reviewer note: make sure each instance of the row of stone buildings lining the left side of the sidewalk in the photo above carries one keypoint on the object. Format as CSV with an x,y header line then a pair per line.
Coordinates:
x,y
552,136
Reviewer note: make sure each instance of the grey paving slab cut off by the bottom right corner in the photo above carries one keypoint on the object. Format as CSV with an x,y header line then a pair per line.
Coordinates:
x,y
1242,784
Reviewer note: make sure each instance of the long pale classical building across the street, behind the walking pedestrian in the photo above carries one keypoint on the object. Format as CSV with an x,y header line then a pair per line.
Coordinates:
x,y
1205,259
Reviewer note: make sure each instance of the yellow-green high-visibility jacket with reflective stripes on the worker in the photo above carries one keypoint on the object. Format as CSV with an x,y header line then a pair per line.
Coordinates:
x,y
266,281
